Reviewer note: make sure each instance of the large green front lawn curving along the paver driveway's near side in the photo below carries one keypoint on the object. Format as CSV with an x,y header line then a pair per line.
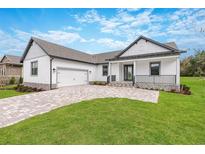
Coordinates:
x,y
176,119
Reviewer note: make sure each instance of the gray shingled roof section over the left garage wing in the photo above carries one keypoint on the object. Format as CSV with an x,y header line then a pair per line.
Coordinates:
x,y
58,51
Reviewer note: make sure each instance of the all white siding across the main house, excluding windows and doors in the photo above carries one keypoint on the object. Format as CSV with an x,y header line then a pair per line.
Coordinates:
x,y
169,65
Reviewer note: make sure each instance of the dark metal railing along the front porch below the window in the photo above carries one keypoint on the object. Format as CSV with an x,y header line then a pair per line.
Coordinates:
x,y
158,79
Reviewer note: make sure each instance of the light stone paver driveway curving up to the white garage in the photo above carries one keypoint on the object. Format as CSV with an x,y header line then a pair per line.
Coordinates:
x,y
18,108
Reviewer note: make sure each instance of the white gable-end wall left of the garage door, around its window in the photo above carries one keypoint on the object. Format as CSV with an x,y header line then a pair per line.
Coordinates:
x,y
35,53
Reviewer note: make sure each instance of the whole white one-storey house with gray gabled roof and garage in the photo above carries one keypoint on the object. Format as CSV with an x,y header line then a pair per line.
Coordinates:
x,y
144,63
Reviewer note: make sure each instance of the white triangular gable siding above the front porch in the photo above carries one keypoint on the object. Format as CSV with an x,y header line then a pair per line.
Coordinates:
x,y
143,47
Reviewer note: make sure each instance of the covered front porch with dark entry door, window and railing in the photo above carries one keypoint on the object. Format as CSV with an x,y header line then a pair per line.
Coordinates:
x,y
152,73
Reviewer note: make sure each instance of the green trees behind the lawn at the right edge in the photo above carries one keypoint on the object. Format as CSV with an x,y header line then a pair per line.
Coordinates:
x,y
194,65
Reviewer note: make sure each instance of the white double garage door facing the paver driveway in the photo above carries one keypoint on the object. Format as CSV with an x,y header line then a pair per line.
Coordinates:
x,y
71,77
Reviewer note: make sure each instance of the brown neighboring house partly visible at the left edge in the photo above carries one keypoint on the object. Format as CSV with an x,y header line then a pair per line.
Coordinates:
x,y
10,66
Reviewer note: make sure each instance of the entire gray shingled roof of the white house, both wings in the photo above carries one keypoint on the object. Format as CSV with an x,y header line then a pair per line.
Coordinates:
x,y
58,51
